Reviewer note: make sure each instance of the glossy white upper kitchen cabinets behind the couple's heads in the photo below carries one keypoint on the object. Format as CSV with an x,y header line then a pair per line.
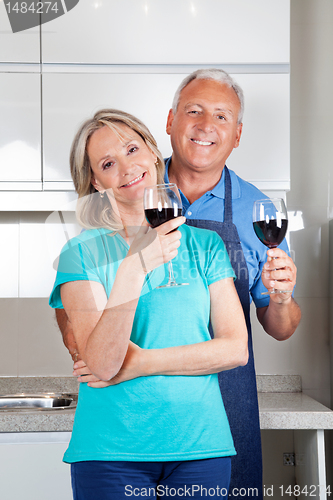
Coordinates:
x,y
131,55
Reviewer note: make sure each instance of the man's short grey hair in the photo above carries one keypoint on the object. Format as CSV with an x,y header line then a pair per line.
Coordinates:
x,y
211,74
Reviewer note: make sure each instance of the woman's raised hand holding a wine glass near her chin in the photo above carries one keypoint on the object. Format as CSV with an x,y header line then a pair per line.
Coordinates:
x,y
156,246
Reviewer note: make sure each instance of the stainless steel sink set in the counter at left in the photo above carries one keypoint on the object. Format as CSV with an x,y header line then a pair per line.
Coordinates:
x,y
46,401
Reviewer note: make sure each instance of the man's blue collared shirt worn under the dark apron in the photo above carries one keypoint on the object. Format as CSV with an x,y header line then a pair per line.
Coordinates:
x,y
211,207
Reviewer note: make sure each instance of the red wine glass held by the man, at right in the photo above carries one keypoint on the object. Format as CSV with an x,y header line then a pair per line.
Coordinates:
x,y
270,222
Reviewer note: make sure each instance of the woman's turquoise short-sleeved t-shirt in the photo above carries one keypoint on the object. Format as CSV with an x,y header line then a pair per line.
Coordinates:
x,y
154,418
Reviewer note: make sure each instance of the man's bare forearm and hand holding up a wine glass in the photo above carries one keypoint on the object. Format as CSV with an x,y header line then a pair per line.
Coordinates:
x,y
282,316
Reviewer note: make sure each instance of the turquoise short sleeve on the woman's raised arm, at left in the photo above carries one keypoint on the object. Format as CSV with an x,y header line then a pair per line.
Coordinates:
x,y
76,263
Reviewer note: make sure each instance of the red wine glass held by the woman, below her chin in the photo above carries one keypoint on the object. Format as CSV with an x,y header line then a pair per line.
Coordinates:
x,y
162,202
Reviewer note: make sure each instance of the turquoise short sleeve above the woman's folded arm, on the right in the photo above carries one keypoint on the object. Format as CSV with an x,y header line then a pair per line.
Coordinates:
x,y
218,266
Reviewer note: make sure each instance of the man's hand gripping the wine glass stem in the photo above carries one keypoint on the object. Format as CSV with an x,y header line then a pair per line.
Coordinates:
x,y
279,272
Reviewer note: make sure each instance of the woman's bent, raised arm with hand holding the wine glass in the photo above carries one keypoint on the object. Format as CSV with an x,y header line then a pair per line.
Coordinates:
x,y
101,326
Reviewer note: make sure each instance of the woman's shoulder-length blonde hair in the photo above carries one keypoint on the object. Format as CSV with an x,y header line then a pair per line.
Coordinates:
x,y
93,211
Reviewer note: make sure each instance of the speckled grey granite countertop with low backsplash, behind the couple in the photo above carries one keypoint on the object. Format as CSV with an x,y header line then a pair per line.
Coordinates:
x,y
282,405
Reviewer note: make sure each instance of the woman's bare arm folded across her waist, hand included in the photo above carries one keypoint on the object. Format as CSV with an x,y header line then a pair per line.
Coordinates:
x,y
227,350
